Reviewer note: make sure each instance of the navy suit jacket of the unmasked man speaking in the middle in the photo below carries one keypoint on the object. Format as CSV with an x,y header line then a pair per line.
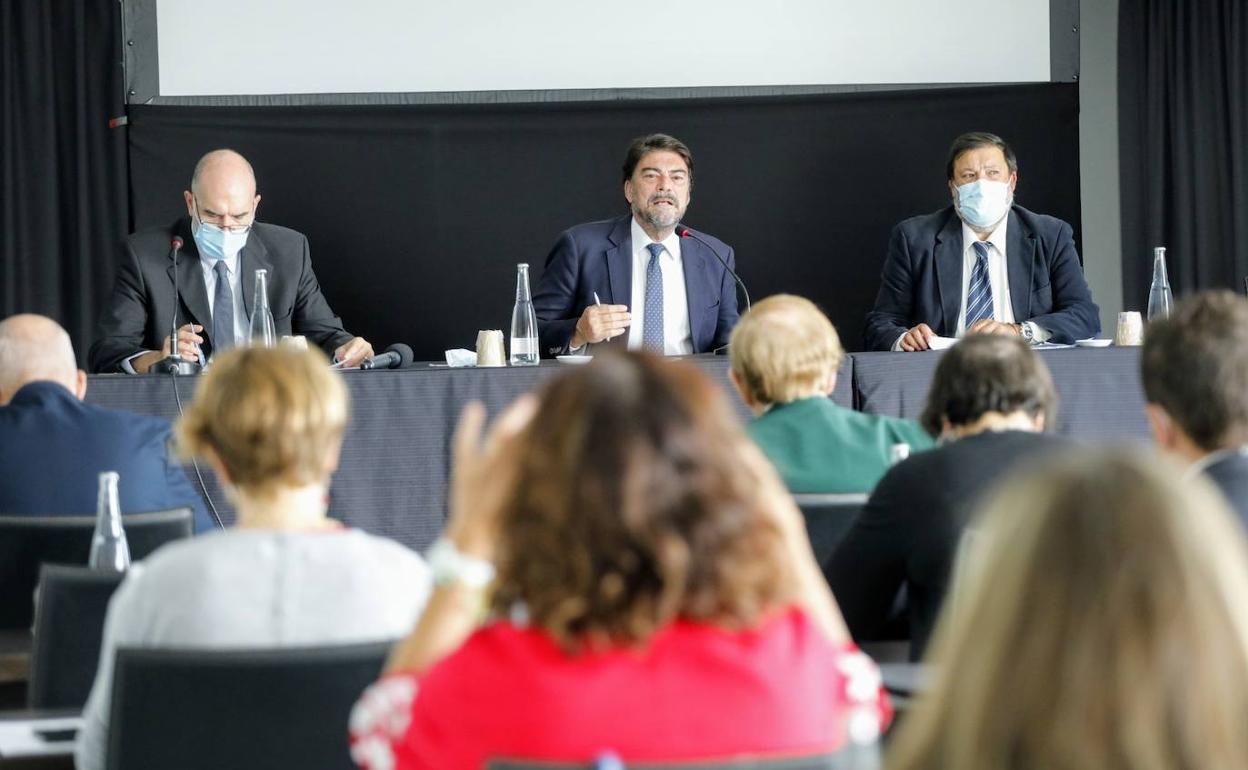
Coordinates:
x,y
598,258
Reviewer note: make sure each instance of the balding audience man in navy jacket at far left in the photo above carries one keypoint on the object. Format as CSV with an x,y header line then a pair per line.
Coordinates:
x,y
54,446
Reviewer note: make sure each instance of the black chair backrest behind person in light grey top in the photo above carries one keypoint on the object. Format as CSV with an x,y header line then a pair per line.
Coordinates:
x,y
238,709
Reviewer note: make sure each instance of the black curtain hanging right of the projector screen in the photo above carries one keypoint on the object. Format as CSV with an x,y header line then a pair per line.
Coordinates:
x,y
1184,143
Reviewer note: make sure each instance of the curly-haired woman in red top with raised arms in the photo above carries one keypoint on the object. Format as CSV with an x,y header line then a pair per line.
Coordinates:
x,y
656,595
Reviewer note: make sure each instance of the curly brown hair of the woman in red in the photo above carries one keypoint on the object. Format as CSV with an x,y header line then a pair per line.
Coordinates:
x,y
632,509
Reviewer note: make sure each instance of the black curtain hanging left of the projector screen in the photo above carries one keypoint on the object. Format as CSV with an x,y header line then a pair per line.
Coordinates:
x,y
64,202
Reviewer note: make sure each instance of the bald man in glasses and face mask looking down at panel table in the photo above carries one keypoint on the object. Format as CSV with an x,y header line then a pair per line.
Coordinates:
x,y
224,245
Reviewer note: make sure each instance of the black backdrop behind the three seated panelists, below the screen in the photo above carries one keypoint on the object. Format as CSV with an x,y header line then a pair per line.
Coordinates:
x,y
417,215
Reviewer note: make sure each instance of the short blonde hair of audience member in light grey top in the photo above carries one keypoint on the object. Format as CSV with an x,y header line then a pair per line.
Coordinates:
x,y
269,419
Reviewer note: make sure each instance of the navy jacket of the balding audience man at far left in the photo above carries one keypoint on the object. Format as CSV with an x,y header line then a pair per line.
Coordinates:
x,y
53,449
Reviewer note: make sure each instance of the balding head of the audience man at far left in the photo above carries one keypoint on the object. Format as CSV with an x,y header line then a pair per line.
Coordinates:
x,y
36,349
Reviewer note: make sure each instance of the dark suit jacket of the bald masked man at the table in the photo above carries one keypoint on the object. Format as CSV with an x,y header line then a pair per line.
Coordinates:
x,y
138,315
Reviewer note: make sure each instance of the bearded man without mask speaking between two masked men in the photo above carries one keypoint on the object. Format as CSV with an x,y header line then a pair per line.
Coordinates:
x,y
637,274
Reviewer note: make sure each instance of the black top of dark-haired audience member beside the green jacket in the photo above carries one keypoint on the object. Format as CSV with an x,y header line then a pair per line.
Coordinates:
x,y
909,531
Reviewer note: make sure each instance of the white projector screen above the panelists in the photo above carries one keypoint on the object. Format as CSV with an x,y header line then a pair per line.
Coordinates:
x,y
369,47
